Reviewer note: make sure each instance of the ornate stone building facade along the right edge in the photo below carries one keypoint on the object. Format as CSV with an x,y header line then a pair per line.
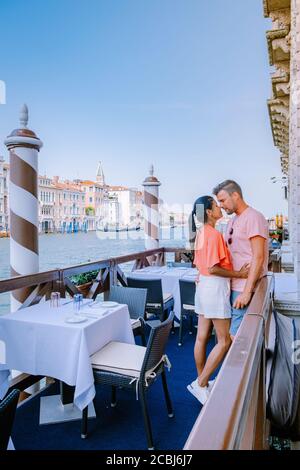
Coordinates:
x,y
284,107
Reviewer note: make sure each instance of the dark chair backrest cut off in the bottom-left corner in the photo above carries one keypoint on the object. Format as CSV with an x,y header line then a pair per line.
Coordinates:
x,y
7,415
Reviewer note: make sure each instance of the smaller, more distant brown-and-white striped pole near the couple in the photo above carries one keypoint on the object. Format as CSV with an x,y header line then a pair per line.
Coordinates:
x,y
151,210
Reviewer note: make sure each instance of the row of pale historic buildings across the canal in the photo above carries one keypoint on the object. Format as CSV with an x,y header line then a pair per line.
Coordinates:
x,y
79,205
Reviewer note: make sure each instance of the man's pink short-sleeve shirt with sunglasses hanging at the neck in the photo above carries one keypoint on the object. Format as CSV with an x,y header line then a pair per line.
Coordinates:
x,y
249,224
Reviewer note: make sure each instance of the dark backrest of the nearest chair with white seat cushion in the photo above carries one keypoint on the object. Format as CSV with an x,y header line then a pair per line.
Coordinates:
x,y
156,344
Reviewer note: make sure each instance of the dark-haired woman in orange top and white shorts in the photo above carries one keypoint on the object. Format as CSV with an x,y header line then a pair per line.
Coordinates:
x,y
212,298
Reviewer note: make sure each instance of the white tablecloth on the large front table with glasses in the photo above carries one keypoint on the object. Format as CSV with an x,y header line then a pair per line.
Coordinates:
x,y
39,341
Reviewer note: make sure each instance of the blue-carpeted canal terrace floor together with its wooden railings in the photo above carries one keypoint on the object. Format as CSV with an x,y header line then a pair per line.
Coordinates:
x,y
242,423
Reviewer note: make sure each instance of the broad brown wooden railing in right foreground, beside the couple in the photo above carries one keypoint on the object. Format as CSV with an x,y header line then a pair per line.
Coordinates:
x,y
234,417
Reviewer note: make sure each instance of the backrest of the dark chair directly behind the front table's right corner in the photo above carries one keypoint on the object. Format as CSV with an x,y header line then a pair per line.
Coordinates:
x,y
133,297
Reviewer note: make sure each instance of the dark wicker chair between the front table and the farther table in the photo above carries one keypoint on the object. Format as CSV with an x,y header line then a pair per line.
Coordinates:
x,y
136,301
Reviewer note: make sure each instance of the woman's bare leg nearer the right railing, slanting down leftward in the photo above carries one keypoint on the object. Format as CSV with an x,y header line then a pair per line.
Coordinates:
x,y
218,352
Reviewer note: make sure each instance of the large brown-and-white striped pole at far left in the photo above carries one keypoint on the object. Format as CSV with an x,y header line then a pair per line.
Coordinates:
x,y
23,146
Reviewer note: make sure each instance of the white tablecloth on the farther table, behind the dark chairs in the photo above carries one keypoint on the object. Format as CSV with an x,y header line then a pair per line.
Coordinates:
x,y
169,278
